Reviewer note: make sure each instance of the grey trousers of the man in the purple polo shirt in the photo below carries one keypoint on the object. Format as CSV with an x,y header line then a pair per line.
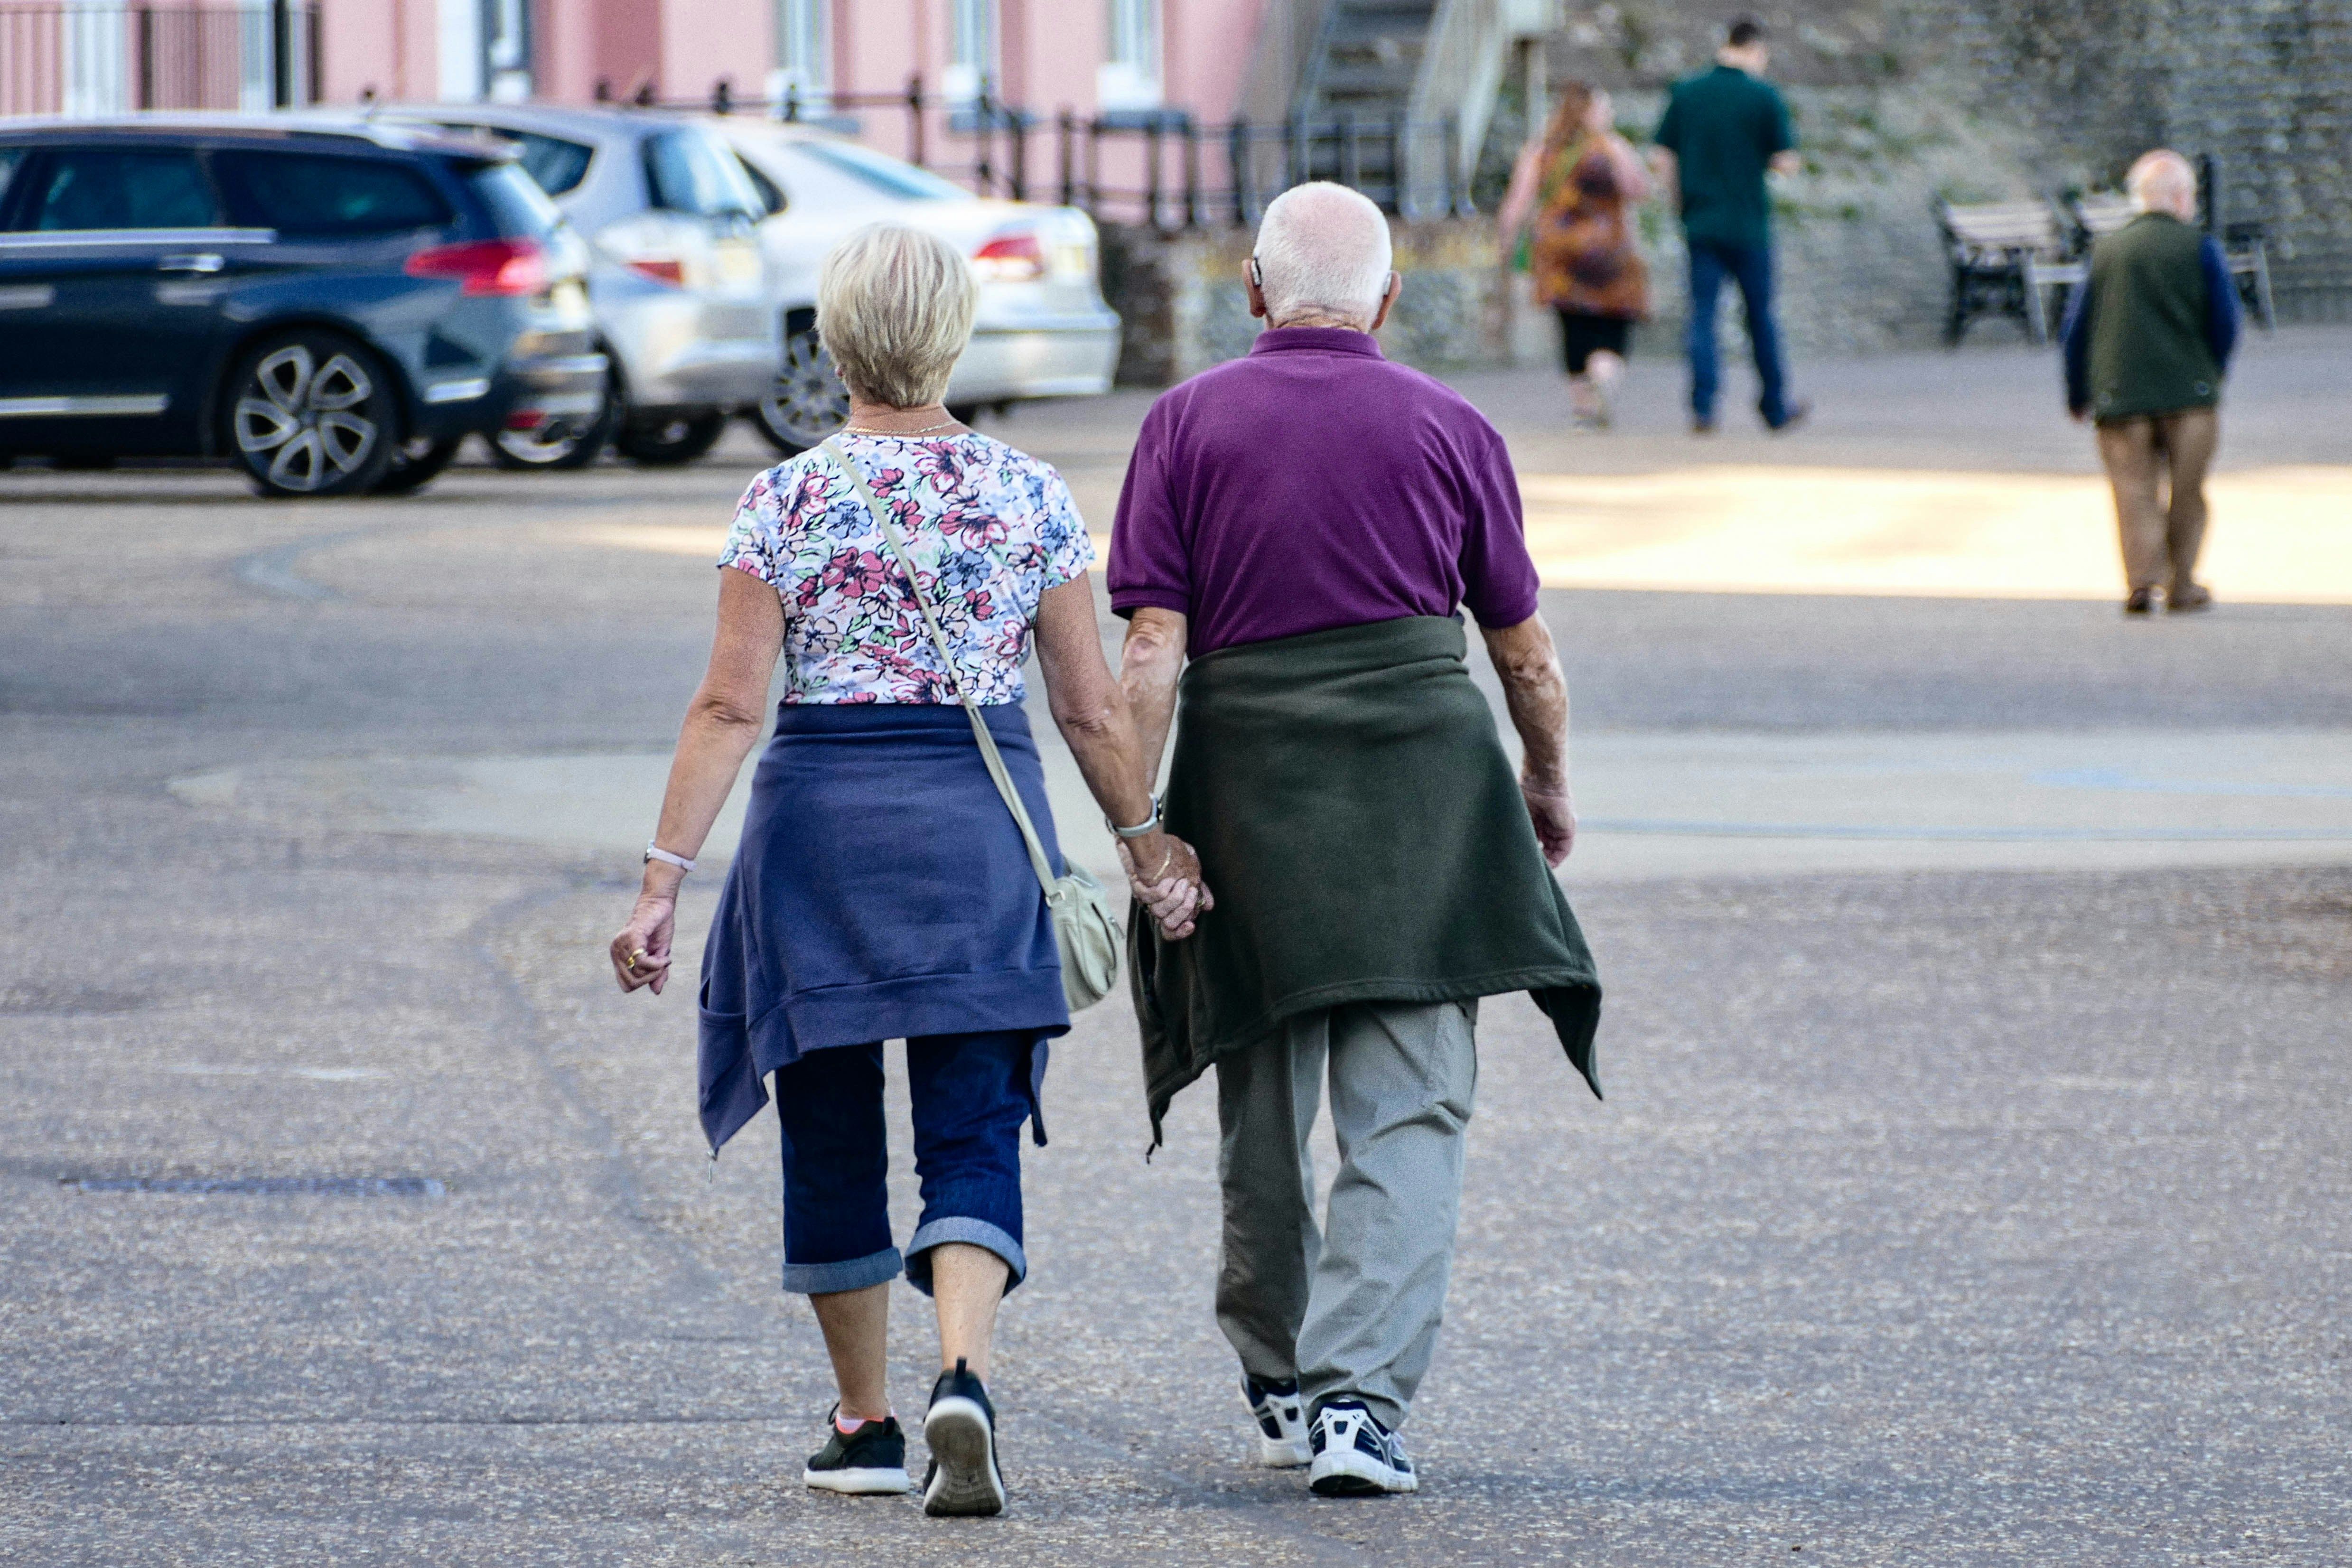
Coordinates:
x,y
1354,1308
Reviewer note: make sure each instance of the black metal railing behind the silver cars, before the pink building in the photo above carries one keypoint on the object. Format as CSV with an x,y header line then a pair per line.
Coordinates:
x,y
1151,168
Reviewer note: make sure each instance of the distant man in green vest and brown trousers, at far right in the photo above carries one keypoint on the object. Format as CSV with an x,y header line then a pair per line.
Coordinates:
x,y
2146,347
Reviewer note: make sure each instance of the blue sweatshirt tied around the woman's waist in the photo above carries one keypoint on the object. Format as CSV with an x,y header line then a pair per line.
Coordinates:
x,y
881,892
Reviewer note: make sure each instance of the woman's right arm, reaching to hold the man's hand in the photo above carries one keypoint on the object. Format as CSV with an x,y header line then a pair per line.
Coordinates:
x,y
1090,709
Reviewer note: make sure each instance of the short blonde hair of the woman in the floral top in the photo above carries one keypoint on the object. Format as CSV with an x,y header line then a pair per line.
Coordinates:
x,y
895,311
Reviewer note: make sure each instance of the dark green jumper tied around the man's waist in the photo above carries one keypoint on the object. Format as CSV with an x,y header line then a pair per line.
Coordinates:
x,y
1368,843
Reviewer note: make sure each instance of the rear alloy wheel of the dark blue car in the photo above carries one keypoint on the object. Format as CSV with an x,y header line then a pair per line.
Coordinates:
x,y
312,415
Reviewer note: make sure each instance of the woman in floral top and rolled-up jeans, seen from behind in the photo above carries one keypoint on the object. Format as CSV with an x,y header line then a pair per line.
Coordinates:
x,y
883,890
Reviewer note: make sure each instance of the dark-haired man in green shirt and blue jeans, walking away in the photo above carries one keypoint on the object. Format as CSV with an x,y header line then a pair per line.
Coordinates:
x,y
1720,133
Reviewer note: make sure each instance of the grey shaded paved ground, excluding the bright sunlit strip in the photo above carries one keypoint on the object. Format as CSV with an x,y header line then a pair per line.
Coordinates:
x,y
1937,1217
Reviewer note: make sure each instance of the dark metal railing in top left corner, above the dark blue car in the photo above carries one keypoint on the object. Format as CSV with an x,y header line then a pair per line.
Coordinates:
x,y
102,60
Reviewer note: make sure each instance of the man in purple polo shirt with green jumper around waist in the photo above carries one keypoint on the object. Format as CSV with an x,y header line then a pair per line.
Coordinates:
x,y
1307,525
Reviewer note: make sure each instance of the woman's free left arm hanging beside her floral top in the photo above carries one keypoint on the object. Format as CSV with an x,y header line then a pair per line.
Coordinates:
x,y
723,725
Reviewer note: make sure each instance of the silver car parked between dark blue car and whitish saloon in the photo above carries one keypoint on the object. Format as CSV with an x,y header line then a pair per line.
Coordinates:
x,y
679,281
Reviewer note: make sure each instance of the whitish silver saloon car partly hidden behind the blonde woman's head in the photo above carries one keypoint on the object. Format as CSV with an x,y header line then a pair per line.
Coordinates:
x,y
1043,328
